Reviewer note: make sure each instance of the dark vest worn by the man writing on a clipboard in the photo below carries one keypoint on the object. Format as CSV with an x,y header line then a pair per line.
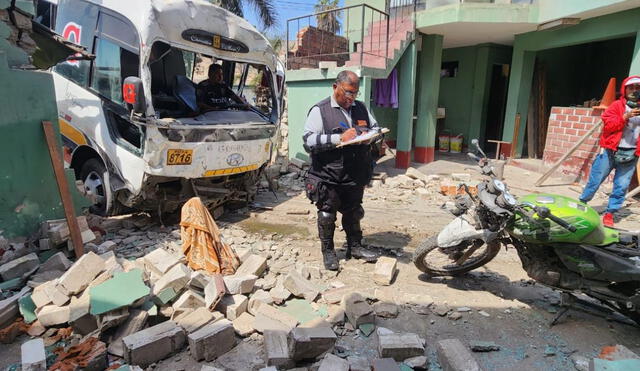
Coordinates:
x,y
348,165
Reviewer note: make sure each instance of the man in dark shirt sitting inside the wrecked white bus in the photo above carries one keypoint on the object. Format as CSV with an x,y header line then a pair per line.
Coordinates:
x,y
213,93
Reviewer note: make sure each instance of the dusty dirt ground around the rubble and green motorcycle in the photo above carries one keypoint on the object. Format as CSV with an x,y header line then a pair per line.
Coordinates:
x,y
505,306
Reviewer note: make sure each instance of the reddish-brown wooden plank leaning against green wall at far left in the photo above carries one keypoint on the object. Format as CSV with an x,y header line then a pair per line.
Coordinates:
x,y
63,187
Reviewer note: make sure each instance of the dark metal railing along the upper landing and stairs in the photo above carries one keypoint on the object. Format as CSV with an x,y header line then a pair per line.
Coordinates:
x,y
352,35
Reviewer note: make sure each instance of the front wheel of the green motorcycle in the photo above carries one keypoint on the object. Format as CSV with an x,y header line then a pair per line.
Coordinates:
x,y
430,245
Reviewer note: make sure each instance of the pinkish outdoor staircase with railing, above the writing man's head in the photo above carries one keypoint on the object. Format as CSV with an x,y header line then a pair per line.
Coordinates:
x,y
377,50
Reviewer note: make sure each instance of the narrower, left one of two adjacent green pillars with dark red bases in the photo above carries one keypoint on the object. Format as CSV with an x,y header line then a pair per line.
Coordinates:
x,y
406,98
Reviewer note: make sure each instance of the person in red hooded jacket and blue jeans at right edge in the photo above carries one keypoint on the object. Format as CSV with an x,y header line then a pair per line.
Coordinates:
x,y
619,148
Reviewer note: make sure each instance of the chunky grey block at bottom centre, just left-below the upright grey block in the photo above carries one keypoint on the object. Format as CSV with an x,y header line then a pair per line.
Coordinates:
x,y
309,343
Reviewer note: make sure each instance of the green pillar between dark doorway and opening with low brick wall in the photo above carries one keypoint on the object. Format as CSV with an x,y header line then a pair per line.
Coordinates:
x,y
520,81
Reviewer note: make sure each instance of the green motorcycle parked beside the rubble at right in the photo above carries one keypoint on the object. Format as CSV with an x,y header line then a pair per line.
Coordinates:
x,y
559,240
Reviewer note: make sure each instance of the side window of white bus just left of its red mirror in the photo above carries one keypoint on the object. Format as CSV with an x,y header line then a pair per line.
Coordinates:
x,y
111,66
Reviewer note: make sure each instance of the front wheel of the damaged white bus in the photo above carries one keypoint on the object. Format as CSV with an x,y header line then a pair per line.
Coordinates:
x,y
96,183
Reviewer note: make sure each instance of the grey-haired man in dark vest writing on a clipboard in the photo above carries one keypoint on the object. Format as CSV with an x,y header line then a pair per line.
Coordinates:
x,y
338,175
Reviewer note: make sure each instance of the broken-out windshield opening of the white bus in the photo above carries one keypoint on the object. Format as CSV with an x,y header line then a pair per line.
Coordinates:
x,y
186,84
